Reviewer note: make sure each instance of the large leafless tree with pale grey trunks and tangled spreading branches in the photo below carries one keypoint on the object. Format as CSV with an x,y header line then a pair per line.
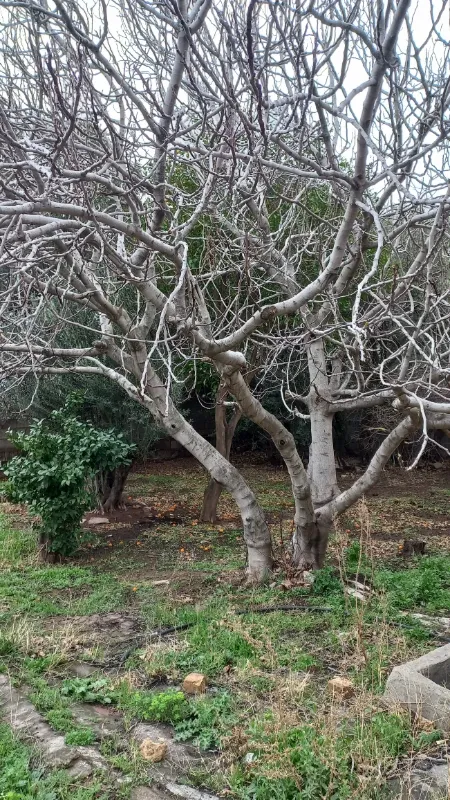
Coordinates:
x,y
188,181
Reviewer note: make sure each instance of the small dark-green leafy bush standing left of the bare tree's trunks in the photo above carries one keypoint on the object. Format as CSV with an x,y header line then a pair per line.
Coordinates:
x,y
60,454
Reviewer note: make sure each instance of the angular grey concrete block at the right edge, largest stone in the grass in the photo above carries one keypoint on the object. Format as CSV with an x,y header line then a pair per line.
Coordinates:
x,y
422,686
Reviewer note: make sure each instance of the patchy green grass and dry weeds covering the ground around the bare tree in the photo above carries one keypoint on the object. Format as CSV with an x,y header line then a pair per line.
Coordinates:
x,y
269,713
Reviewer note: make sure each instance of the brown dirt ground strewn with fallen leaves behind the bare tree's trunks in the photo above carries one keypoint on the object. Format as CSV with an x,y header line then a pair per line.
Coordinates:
x,y
163,502
